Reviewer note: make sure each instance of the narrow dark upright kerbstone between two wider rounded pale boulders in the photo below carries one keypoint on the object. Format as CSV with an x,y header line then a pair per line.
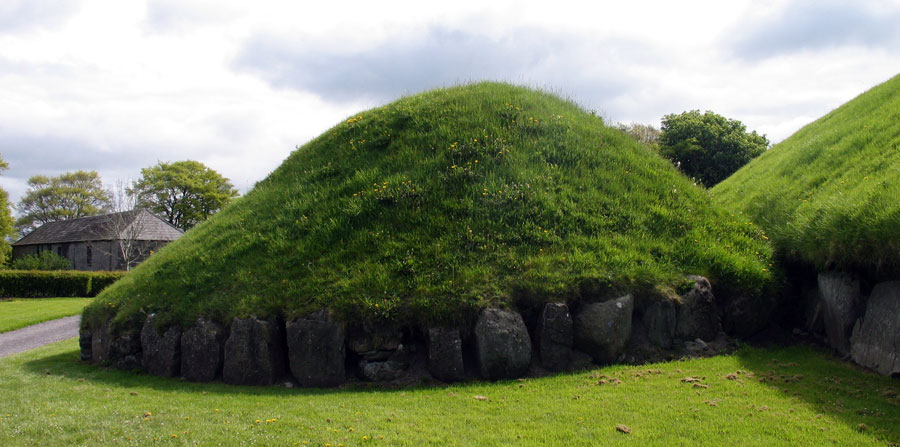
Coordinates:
x,y
554,336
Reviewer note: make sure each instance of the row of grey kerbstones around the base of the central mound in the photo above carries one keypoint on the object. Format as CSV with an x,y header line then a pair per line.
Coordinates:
x,y
254,353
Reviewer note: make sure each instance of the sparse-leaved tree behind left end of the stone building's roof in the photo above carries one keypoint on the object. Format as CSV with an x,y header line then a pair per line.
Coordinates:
x,y
68,196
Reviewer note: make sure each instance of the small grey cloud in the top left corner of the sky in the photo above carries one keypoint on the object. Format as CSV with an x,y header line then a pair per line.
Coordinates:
x,y
19,15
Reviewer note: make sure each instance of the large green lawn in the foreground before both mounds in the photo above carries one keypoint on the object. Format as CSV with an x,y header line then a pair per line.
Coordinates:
x,y
777,397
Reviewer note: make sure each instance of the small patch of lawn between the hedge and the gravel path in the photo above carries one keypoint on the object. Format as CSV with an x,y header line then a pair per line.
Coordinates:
x,y
18,313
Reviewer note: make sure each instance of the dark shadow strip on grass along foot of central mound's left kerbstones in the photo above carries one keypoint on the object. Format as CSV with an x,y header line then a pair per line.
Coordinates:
x,y
69,364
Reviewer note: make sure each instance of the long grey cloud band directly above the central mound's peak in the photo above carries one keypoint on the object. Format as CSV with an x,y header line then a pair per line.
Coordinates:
x,y
441,57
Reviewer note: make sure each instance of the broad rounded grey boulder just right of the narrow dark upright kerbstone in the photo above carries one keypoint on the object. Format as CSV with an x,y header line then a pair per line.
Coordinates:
x,y
602,329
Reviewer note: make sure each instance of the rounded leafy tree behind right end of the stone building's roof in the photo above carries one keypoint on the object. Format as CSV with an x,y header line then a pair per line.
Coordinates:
x,y
184,192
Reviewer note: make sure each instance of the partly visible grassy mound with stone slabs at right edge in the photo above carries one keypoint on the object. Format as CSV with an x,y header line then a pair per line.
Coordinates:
x,y
827,197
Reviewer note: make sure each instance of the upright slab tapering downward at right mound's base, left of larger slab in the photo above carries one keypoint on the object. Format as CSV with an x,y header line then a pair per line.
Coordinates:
x,y
841,301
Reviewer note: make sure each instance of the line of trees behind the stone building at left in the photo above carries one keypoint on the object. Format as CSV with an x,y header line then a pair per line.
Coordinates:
x,y
183,193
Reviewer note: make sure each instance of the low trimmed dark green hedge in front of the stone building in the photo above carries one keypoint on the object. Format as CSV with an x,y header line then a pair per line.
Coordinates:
x,y
59,283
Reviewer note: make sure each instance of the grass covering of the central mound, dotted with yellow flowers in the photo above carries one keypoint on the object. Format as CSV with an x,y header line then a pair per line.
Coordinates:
x,y
432,207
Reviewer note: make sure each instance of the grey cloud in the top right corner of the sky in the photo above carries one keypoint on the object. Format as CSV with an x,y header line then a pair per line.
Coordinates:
x,y
814,25
